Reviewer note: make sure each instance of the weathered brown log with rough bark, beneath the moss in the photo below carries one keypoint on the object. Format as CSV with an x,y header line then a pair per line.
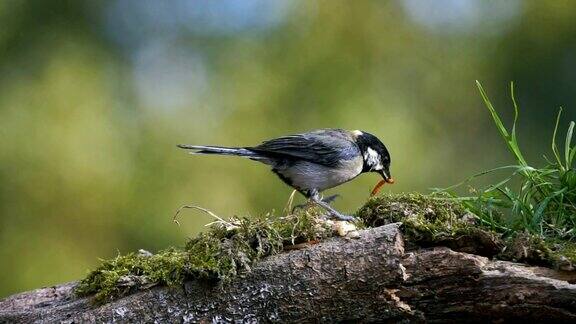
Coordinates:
x,y
374,278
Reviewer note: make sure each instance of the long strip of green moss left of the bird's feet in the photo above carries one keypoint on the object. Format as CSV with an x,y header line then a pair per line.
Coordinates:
x,y
226,250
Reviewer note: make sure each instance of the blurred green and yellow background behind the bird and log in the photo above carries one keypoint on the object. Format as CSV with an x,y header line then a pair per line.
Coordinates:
x,y
94,95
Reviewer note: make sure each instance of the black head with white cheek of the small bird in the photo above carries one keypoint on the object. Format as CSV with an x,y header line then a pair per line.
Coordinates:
x,y
375,155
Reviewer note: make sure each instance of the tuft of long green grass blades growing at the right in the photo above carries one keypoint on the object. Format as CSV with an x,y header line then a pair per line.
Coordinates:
x,y
544,202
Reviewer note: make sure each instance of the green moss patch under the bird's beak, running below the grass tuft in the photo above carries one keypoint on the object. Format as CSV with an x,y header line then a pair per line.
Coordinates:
x,y
429,221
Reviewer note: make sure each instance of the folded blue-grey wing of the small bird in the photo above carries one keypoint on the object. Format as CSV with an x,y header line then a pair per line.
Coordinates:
x,y
327,147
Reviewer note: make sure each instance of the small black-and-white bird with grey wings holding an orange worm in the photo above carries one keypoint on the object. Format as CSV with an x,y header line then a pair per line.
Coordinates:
x,y
315,161
